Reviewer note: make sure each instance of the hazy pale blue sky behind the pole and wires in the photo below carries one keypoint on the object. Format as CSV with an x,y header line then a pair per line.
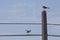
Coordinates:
x,y
28,11
